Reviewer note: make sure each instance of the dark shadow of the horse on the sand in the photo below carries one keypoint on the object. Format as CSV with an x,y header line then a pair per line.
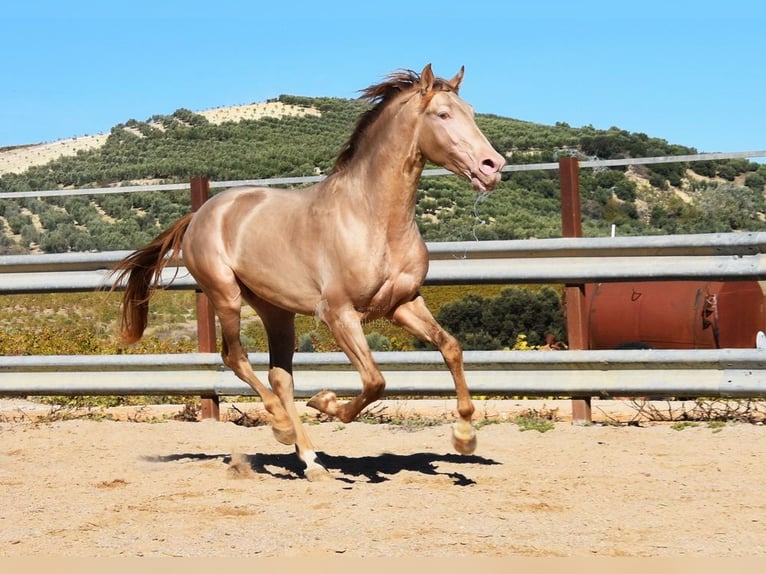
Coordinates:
x,y
373,469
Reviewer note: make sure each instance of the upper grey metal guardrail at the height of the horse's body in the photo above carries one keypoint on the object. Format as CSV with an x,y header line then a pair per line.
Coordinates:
x,y
715,256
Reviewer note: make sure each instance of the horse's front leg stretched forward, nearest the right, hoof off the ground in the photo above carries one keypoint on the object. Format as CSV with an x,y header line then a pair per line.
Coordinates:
x,y
415,317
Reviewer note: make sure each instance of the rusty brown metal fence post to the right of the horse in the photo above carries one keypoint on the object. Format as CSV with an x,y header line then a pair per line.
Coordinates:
x,y
577,320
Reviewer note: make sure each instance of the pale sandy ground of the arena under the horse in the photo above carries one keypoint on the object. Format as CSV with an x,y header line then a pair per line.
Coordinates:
x,y
90,488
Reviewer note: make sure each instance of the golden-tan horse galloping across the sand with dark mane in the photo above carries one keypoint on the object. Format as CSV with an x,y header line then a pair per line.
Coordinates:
x,y
346,250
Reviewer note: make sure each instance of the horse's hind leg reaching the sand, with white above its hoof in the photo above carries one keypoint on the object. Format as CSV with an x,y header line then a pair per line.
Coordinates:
x,y
280,330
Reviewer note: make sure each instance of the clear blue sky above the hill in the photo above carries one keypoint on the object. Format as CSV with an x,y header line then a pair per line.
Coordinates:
x,y
689,72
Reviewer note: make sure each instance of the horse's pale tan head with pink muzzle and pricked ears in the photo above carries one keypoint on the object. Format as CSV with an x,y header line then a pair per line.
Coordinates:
x,y
449,136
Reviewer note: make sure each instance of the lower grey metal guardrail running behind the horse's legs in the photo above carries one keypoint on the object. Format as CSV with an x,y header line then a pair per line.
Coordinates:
x,y
729,373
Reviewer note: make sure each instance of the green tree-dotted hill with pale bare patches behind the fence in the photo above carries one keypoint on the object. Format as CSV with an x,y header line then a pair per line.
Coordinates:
x,y
294,136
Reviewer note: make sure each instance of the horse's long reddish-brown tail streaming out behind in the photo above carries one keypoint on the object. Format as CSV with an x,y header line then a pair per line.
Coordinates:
x,y
141,272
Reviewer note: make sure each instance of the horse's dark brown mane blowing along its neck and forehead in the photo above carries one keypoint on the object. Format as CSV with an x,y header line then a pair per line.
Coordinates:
x,y
380,95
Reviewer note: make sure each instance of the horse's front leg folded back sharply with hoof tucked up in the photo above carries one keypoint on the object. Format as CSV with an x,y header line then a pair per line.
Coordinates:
x,y
347,330
